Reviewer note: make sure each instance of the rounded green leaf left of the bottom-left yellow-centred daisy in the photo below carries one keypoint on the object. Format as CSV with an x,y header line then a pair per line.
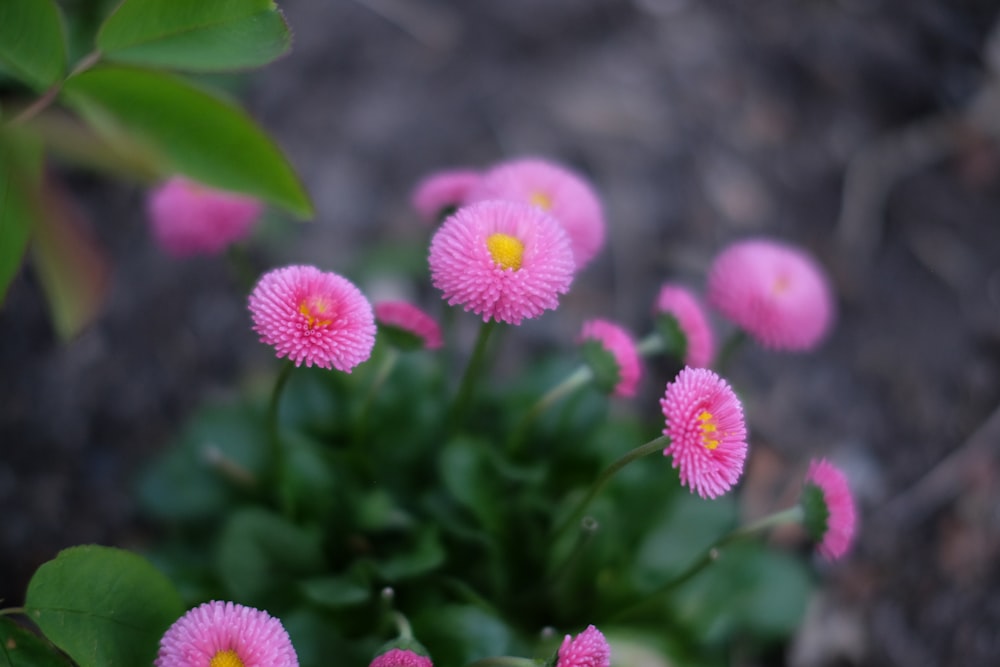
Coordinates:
x,y
104,607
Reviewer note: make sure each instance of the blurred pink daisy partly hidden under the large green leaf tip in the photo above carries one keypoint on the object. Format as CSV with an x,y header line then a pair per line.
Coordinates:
x,y
192,219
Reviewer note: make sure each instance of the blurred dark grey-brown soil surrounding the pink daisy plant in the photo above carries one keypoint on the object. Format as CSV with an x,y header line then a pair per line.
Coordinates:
x,y
865,130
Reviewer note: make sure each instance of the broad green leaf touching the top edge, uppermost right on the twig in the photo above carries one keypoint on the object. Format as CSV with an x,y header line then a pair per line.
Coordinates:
x,y
195,35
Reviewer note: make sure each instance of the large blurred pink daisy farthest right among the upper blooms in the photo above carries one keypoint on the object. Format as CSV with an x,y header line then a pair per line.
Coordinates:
x,y
775,292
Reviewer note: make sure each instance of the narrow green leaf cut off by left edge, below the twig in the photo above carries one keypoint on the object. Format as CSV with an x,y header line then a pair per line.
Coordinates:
x,y
20,171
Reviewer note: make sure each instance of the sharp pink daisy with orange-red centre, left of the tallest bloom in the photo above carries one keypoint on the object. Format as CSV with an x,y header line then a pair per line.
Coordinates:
x,y
313,317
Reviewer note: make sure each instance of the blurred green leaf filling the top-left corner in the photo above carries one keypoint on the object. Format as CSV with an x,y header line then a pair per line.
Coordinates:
x,y
31,41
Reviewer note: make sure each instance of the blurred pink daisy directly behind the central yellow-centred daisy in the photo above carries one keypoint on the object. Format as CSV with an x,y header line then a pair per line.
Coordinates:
x,y
554,189
